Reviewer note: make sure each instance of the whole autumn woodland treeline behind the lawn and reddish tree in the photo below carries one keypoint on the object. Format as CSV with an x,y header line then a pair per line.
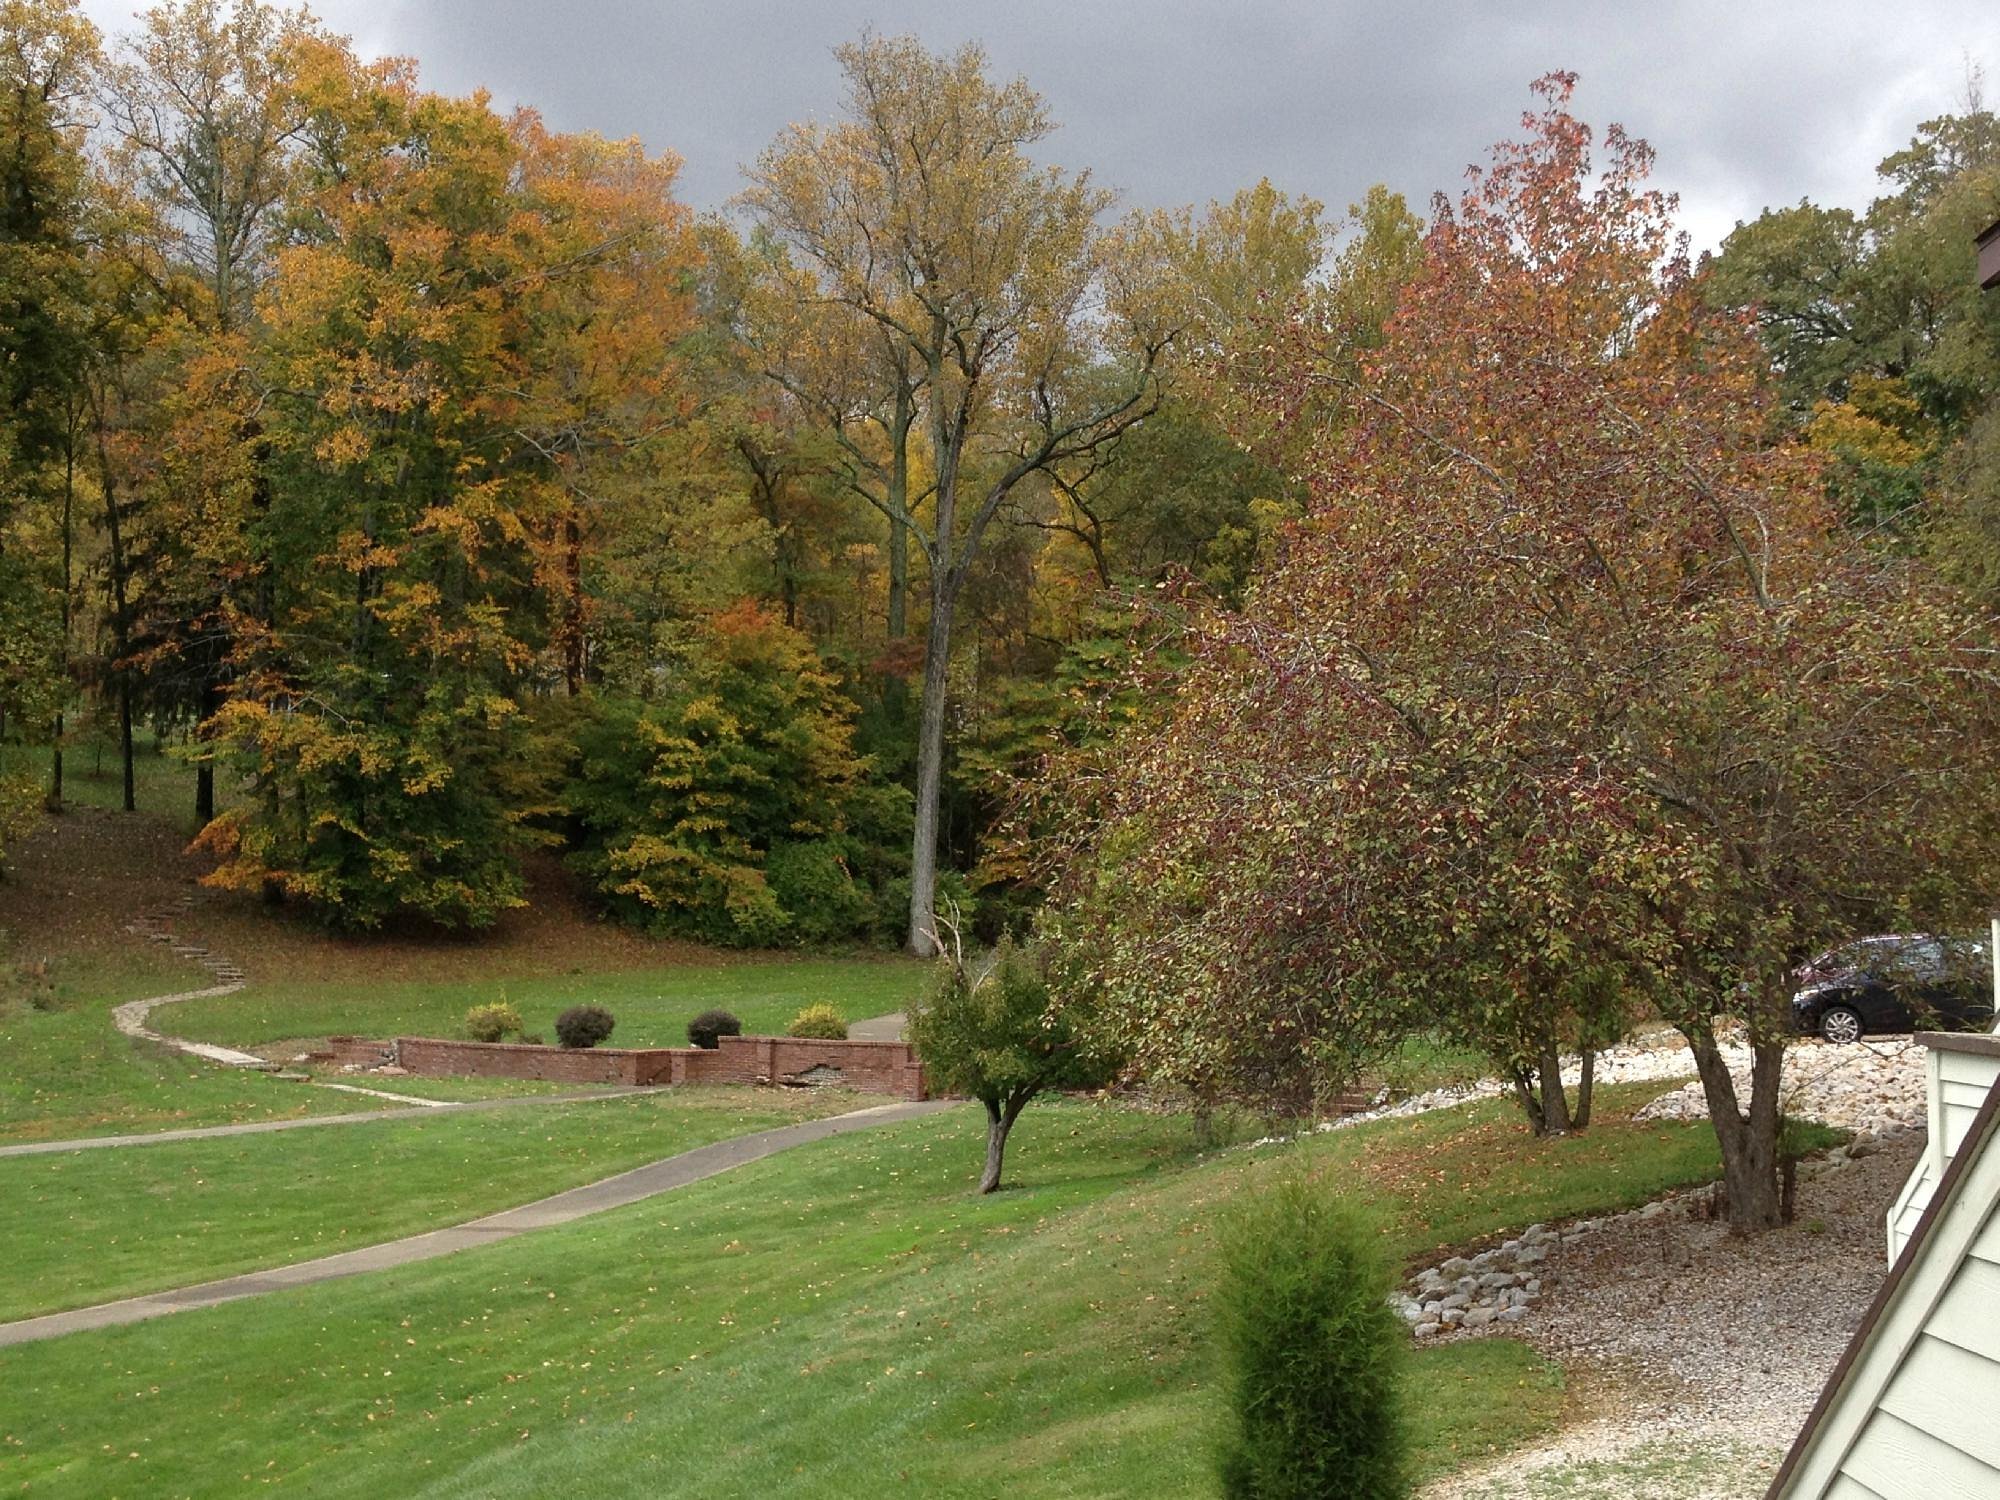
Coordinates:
x,y
443,487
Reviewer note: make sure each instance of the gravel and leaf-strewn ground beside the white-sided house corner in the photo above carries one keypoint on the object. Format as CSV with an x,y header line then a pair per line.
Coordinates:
x,y
1697,1355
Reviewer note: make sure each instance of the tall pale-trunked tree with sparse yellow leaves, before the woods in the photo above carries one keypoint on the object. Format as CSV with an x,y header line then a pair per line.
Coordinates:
x,y
963,265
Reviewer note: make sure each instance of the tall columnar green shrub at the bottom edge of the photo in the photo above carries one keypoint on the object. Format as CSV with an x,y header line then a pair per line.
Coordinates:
x,y
1311,1349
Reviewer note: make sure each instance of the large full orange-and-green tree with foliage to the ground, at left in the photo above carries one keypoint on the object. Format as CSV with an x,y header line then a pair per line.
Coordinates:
x,y
377,703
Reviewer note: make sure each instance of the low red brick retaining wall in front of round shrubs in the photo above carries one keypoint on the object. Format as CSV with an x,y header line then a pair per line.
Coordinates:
x,y
873,1067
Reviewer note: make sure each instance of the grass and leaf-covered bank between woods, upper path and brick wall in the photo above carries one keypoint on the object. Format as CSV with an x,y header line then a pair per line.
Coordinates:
x,y
65,963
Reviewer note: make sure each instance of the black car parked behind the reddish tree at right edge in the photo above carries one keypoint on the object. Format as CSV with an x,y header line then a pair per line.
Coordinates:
x,y
1895,985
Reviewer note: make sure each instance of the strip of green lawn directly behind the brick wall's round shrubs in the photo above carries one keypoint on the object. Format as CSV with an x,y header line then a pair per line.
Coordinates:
x,y
653,1005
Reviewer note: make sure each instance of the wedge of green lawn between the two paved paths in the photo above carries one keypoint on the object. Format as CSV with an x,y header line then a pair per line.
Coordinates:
x,y
93,1227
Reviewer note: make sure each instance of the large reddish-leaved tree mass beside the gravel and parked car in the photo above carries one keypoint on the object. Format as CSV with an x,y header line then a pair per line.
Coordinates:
x,y
1557,693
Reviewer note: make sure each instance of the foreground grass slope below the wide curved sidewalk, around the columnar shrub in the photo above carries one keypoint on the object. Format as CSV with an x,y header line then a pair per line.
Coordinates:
x,y
835,1321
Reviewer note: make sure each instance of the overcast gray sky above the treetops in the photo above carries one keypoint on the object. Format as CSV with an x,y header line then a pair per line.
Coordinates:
x,y
1749,103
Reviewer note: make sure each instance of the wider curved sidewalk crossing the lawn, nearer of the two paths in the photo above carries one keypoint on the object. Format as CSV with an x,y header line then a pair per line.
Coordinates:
x,y
563,1209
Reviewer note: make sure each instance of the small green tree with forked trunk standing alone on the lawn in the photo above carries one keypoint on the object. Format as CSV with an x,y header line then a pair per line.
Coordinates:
x,y
993,1033
